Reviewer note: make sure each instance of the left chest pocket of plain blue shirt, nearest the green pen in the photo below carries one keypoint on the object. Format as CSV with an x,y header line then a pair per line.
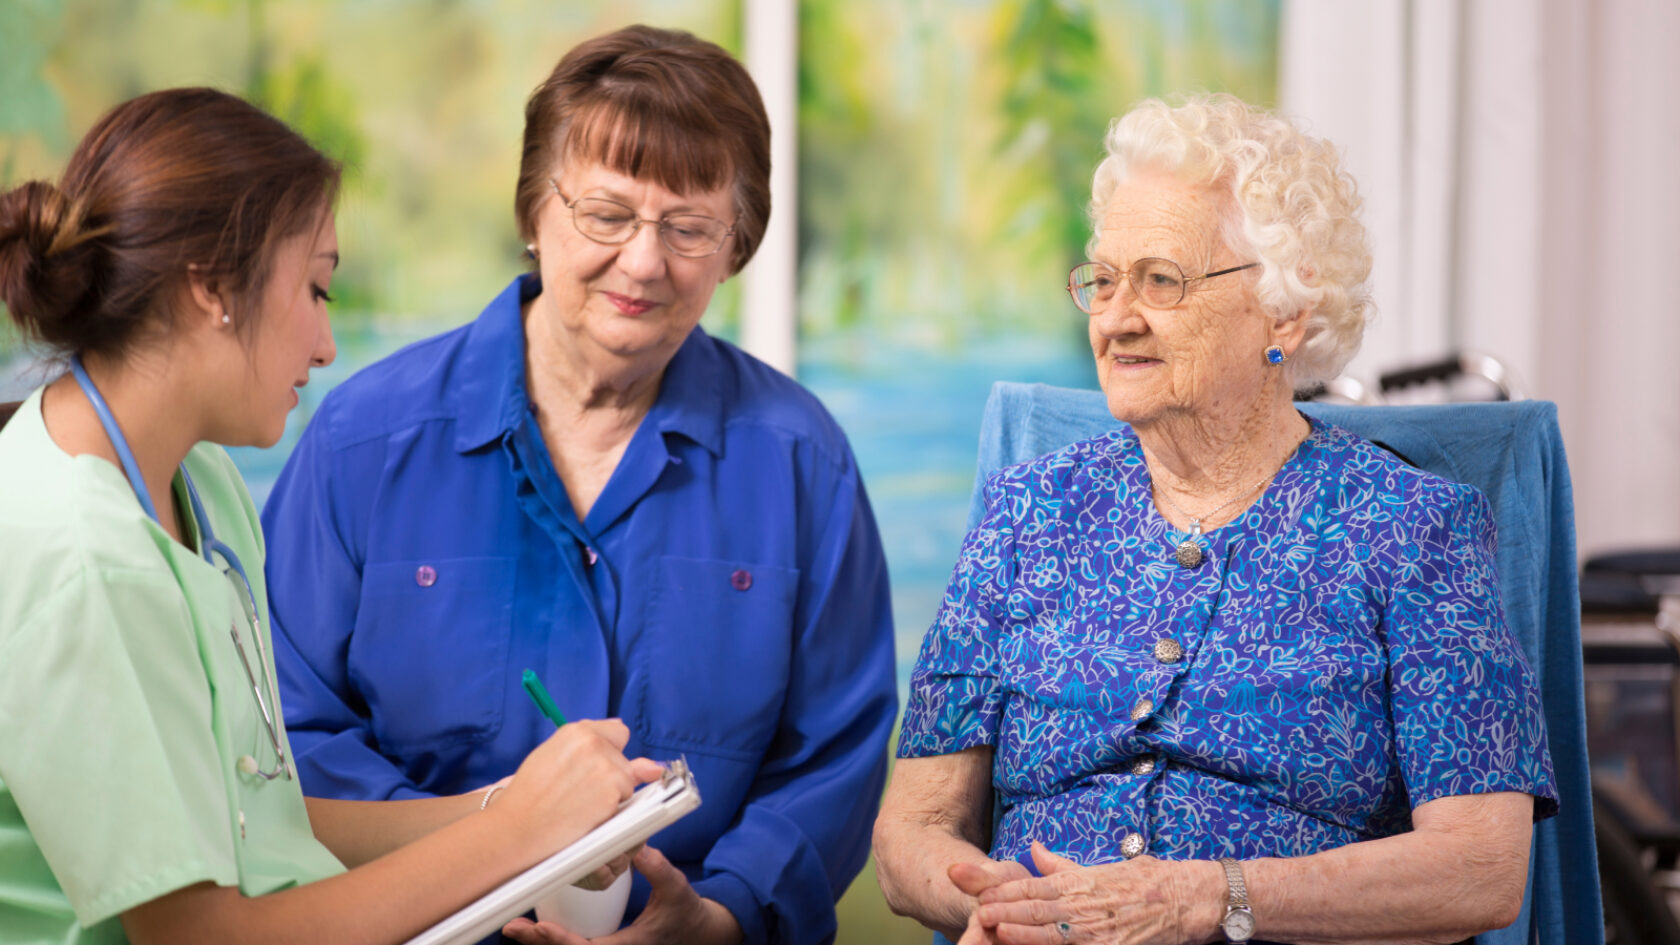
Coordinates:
x,y
429,653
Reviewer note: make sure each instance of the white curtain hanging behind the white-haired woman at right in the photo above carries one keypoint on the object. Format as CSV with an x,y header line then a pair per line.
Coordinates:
x,y
1518,161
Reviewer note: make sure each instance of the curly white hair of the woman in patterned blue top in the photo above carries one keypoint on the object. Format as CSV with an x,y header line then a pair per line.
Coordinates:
x,y
1291,208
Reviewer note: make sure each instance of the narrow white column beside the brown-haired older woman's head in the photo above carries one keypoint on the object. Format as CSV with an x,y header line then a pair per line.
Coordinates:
x,y
770,283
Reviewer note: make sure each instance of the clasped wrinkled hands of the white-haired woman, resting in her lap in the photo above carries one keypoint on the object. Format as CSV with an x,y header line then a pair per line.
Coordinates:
x,y
1138,902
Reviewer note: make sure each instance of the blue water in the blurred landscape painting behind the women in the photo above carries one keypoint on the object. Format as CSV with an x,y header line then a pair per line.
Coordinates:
x,y
913,416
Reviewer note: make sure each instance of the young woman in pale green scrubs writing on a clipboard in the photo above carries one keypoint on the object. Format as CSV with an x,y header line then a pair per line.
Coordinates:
x,y
145,779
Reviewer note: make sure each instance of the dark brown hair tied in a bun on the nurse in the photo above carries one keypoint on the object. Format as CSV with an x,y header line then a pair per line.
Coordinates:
x,y
167,181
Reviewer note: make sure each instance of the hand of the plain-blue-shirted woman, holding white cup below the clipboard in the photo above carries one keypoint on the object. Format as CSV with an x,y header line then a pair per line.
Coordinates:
x,y
675,914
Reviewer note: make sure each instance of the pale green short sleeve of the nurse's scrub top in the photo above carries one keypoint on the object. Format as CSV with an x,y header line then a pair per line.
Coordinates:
x,y
107,744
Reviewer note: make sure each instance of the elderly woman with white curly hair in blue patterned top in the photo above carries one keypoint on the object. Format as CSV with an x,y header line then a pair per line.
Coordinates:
x,y
1226,673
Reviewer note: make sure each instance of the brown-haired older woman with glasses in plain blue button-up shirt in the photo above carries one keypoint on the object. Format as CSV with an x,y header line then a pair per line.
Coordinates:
x,y
584,483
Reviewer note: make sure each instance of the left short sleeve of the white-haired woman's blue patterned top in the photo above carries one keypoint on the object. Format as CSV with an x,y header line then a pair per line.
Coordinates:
x,y
955,697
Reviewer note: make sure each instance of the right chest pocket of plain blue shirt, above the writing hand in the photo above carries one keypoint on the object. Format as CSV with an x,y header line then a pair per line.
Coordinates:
x,y
715,652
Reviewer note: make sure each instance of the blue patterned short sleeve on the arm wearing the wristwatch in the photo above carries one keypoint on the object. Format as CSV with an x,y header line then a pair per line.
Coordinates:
x,y
1466,705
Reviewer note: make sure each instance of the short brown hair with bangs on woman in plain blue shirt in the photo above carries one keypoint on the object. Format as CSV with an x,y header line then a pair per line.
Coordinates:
x,y
659,105
